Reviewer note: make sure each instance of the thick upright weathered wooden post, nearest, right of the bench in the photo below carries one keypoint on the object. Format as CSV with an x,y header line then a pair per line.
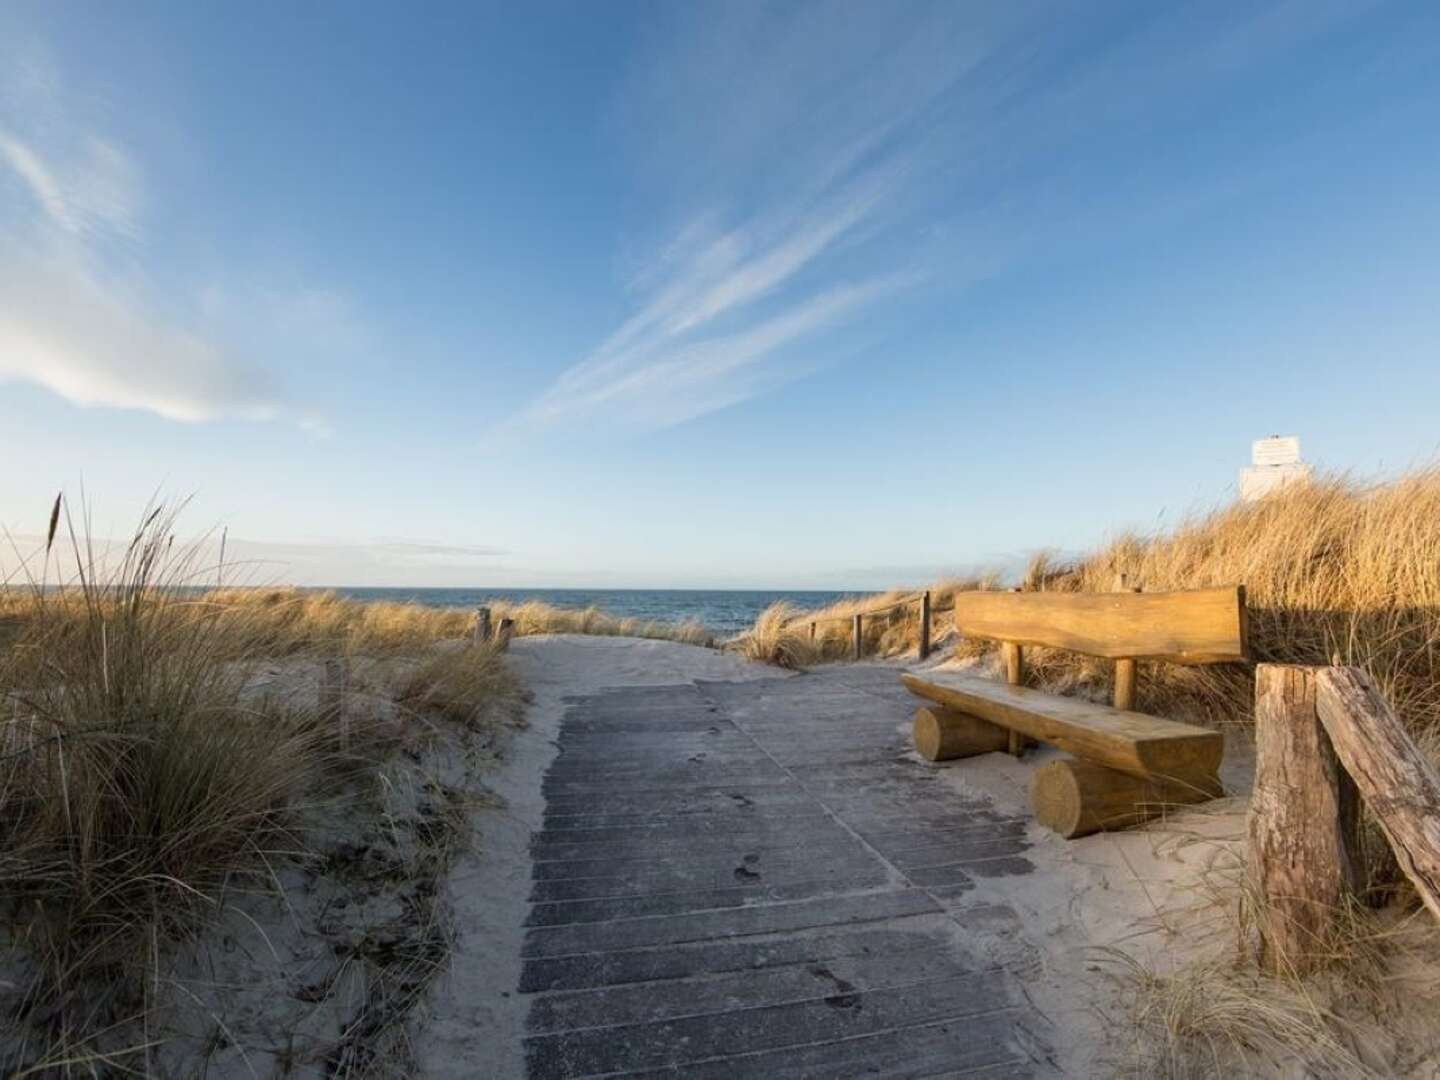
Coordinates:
x,y
1302,826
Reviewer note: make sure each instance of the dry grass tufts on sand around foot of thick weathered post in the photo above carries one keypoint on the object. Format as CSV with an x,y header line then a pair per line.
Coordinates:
x,y
1367,1010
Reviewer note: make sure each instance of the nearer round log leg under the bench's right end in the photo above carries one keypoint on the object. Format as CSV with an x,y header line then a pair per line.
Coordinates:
x,y
1078,798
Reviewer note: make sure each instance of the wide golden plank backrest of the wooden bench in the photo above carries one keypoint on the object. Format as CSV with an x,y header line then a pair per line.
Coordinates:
x,y
1196,627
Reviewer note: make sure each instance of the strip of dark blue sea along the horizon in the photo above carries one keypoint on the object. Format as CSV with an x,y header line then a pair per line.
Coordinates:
x,y
724,611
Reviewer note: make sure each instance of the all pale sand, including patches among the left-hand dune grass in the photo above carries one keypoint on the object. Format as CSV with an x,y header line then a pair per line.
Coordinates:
x,y
1086,909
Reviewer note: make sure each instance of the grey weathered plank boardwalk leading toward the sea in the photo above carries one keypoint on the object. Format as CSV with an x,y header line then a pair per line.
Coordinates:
x,y
734,886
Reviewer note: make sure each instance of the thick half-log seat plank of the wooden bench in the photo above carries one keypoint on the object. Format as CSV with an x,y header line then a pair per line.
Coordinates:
x,y
1134,744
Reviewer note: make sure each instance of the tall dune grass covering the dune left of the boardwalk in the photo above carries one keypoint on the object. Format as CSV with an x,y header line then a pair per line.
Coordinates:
x,y
145,777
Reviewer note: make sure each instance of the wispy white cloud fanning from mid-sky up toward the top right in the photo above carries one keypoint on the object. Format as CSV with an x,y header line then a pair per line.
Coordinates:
x,y
803,163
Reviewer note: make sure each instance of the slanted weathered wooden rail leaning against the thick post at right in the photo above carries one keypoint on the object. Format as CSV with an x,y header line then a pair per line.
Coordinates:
x,y
1398,783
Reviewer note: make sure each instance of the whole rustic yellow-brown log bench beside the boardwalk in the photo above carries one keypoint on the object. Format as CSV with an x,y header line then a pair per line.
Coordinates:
x,y
1128,767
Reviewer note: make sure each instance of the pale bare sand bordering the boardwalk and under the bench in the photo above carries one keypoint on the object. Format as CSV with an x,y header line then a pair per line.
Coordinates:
x,y
1138,894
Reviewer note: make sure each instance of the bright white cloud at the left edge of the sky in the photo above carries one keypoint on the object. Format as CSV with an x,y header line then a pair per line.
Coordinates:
x,y
77,315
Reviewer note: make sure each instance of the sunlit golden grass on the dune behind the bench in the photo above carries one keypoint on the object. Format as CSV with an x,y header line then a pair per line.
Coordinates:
x,y
1331,570
